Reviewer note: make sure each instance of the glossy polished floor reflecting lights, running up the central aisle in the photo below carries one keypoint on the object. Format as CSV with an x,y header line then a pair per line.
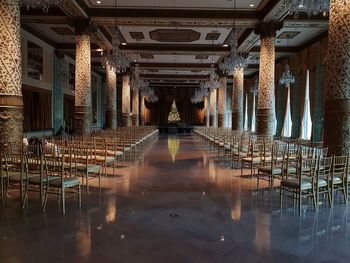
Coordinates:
x,y
176,202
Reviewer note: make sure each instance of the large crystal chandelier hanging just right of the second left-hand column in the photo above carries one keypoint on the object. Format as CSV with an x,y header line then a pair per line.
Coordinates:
x,y
115,58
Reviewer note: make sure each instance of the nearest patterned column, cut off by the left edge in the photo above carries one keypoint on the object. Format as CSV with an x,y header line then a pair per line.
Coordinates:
x,y
11,102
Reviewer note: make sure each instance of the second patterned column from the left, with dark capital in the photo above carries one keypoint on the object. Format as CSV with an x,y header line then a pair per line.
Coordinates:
x,y
83,109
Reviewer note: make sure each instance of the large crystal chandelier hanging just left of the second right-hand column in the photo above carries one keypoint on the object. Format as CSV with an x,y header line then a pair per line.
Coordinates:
x,y
236,59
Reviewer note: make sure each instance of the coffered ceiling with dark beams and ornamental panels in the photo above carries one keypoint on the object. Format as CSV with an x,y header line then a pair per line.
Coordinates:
x,y
173,40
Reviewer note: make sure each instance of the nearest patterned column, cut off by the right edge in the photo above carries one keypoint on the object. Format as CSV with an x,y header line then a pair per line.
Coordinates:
x,y
337,111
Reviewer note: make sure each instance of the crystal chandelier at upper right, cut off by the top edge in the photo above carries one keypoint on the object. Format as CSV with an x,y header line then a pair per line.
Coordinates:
x,y
311,7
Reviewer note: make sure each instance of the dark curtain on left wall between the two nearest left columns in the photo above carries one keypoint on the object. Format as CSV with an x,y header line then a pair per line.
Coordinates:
x,y
37,110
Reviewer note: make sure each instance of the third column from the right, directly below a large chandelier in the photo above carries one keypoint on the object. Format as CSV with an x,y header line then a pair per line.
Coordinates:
x,y
237,99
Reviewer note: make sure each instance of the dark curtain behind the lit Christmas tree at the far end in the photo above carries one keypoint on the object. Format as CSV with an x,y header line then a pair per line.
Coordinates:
x,y
189,112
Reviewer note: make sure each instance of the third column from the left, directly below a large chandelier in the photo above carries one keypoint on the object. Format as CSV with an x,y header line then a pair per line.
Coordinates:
x,y
111,98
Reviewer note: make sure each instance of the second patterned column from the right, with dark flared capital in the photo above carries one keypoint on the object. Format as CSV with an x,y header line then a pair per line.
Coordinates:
x,y
266,100
